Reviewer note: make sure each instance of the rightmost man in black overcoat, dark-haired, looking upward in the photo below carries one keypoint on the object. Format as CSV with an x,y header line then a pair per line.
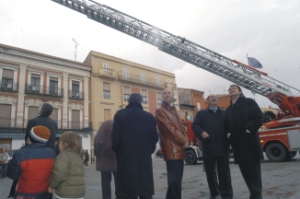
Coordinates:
x,y
243,118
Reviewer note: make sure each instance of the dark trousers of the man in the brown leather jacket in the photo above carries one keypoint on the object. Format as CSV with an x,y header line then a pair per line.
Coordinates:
x,y
175,173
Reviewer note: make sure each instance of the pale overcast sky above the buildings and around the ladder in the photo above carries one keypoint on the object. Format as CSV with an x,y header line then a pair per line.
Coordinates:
x,y
266,30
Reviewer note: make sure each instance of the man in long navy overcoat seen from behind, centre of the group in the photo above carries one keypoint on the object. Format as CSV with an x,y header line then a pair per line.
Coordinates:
x,y
134,138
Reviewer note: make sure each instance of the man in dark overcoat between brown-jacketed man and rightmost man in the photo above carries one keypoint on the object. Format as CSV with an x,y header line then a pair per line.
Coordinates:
x,y
208,126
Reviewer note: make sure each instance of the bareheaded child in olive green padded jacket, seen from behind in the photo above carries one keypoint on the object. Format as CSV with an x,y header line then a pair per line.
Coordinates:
x,y
67,180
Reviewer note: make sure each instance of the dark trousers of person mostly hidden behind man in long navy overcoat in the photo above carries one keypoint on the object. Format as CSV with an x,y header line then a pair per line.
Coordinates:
x,y
105,183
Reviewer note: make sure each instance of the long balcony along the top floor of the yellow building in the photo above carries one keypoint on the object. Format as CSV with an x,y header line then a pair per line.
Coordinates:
x,y
137,78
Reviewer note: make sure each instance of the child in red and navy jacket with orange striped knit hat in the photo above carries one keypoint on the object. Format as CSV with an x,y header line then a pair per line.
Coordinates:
x,y
32,165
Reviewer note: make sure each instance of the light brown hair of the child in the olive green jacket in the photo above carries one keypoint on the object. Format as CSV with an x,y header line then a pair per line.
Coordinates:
x,y
72,141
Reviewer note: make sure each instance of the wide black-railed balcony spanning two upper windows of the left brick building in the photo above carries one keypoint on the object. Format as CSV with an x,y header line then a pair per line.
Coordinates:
x,y
44,90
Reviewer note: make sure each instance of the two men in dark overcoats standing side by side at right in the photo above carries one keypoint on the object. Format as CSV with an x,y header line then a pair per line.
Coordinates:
x,y
237,127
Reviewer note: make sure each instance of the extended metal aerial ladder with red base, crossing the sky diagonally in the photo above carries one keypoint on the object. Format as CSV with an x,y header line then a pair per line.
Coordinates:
x,y
283,95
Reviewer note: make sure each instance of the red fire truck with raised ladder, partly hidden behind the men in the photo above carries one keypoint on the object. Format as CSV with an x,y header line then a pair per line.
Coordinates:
x,y
280,134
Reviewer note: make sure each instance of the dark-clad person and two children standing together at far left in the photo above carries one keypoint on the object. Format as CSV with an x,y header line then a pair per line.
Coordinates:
x,y
40,172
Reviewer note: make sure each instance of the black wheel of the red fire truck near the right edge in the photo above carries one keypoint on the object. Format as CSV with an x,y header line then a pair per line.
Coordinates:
x,y
276,152
